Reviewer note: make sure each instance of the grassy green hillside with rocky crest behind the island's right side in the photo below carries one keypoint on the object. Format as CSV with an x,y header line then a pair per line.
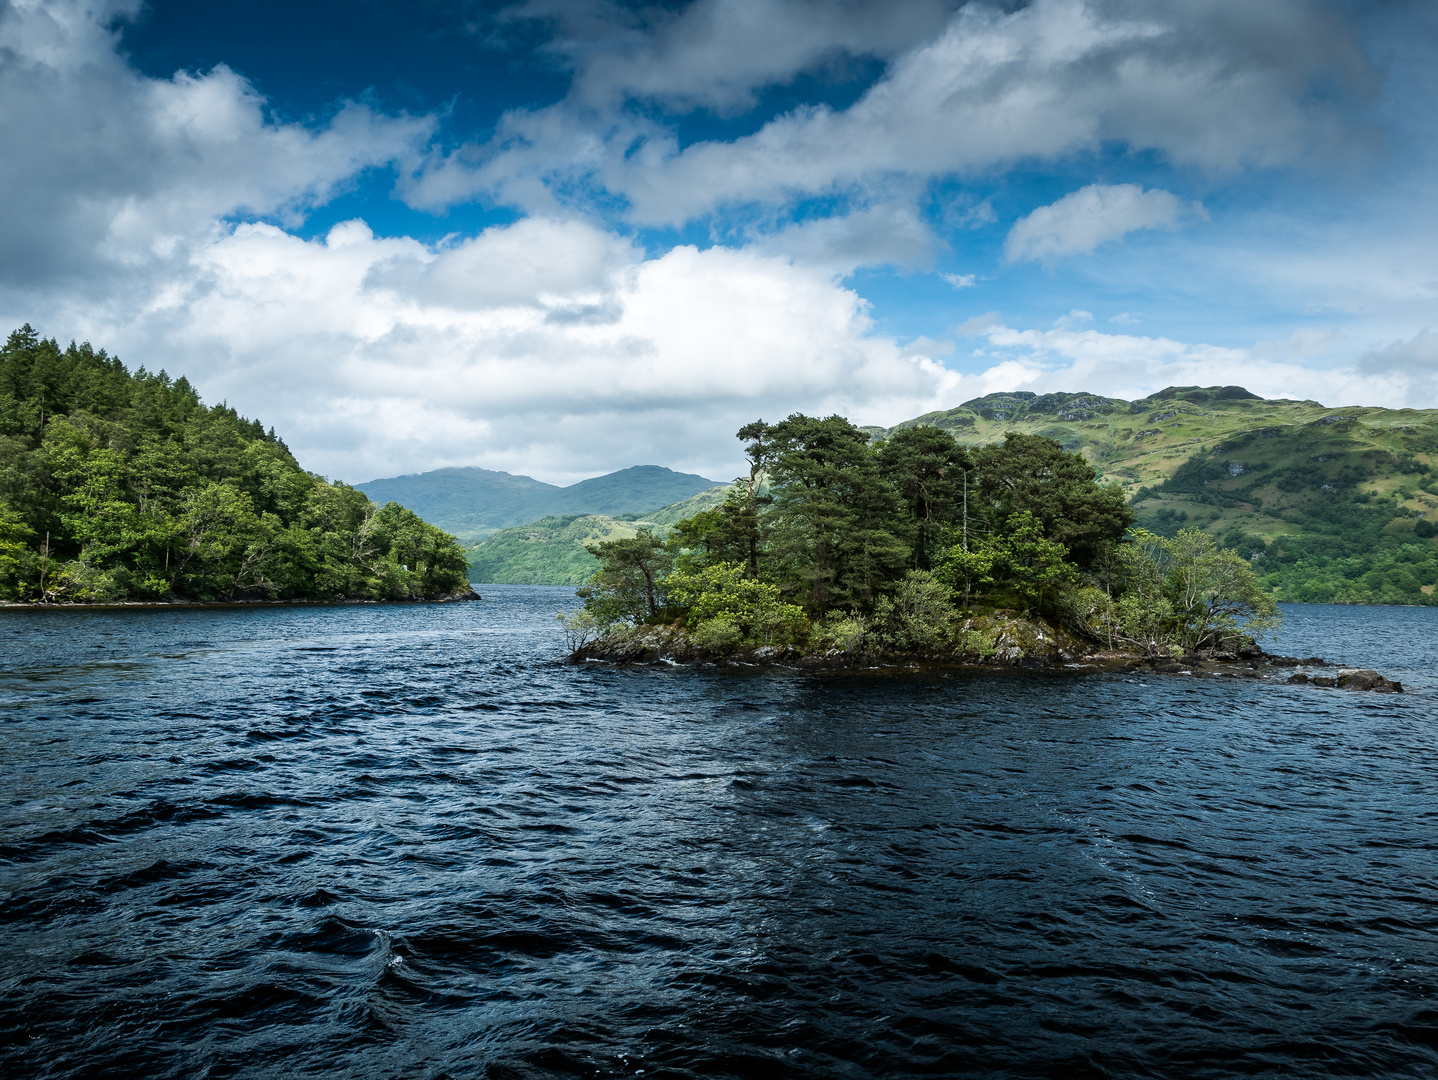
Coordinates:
x,y
1334,505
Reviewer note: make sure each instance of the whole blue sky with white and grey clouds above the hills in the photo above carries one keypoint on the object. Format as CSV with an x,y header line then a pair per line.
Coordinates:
x,y
562,238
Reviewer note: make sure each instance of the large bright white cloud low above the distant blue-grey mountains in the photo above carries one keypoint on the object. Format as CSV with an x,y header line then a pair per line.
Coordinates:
x,y
544,347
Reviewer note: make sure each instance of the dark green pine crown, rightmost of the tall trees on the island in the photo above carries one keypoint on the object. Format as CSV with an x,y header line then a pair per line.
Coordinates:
x,y
1061,490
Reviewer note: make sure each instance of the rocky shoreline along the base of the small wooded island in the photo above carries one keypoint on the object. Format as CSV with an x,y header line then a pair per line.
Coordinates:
x,y
1009,642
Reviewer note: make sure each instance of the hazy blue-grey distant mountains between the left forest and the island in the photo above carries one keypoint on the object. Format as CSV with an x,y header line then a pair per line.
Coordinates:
x,y
475,503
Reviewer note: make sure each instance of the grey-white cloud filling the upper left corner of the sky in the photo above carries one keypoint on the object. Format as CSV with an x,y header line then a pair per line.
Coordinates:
x,y
107,166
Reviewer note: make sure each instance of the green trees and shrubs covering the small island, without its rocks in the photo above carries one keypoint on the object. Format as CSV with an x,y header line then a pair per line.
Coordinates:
x,y
832,537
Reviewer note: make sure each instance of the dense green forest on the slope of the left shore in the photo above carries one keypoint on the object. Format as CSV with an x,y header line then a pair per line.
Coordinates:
x,y
119,485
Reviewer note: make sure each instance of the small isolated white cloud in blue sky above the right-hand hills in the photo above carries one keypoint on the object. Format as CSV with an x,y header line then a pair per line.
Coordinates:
x,y
1091,216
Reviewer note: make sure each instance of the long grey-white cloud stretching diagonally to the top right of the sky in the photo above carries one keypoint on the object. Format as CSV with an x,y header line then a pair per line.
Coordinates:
x,y
1220,86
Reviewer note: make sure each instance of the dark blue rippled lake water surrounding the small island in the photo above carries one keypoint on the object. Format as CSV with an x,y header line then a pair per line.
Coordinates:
x,y
406,842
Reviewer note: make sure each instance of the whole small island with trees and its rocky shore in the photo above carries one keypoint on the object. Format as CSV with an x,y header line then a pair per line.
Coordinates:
x,y
838,550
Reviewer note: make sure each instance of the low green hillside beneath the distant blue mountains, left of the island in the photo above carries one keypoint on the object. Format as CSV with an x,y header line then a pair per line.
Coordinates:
x,y
551,552
